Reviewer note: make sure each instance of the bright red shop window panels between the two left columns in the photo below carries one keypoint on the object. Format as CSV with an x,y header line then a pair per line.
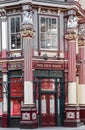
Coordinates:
x,y
16,93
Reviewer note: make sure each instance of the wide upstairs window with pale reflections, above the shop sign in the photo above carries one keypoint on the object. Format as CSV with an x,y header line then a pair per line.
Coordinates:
x,y
48,32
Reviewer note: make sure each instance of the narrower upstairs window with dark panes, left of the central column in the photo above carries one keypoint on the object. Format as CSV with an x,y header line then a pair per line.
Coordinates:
x,y
15,37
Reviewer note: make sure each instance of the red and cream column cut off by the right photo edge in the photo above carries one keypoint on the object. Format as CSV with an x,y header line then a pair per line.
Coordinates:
x,y
82,68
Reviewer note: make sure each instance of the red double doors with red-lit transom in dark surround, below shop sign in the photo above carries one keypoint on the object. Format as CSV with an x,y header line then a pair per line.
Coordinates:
x,y
50,96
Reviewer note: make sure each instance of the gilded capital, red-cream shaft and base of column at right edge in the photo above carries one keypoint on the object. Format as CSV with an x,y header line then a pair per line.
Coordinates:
x,y
81,85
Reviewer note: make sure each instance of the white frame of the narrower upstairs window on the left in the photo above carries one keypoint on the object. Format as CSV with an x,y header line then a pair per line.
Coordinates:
x,y
10,32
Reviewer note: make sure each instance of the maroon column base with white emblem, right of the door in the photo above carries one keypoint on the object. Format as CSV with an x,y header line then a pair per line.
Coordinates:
x,y
72,116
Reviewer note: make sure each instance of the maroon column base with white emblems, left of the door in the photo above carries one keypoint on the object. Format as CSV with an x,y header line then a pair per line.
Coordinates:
x,y
28,117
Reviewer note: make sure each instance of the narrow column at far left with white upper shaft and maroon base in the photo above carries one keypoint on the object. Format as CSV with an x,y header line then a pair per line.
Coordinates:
x,y
4,69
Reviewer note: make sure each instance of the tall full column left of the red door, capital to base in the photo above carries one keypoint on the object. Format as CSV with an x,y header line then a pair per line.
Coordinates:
x,y
28,109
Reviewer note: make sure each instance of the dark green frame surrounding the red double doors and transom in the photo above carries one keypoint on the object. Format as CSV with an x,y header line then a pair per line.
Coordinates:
x,y
62,100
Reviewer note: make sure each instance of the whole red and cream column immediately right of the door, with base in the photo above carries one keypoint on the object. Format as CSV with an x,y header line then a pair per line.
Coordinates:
x,y
72,111
